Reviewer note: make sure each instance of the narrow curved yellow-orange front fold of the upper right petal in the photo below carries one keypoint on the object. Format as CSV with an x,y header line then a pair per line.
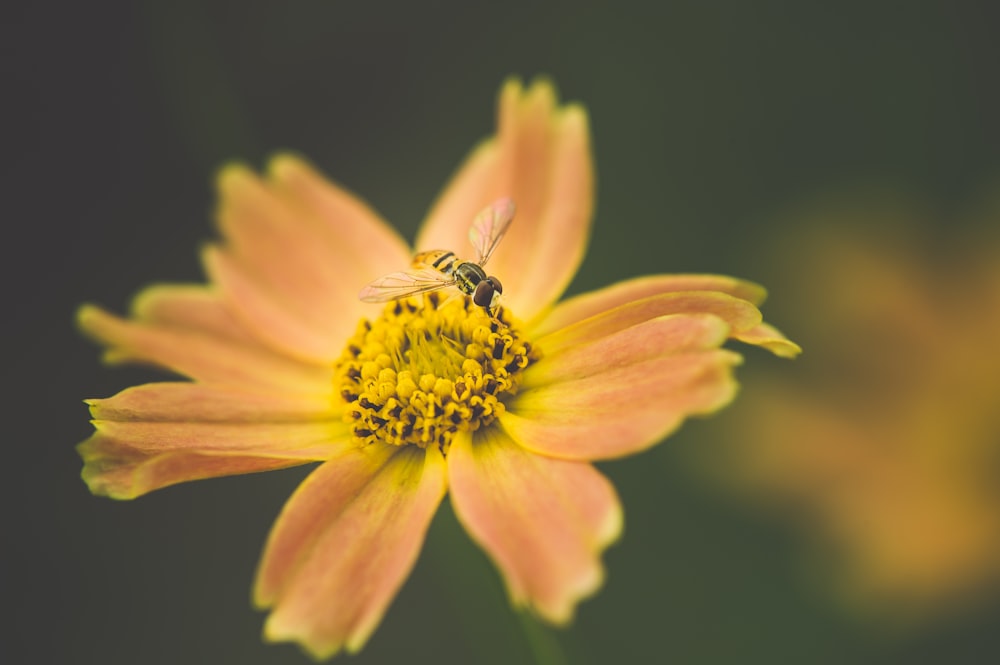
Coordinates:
x,y
738,314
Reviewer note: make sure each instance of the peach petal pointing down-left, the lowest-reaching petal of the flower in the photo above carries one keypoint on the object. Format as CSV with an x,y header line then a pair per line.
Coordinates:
x,y
345,543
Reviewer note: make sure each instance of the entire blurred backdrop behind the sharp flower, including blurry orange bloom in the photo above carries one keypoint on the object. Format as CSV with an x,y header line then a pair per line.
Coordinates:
x,y
846,155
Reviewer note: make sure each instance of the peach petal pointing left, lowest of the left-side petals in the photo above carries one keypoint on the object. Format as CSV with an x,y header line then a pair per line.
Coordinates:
x,y
160,434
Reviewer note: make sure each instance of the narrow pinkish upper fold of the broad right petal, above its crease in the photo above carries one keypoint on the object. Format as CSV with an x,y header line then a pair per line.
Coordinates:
x,y
662,336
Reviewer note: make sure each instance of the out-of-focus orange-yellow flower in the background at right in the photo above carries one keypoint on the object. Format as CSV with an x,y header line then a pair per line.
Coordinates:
x,y
886,446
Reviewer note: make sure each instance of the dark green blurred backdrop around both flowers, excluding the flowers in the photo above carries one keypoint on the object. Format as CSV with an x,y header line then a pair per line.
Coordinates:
x,y
710,120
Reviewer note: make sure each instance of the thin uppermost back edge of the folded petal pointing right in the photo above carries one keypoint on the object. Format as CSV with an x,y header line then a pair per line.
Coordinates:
x,y
591,304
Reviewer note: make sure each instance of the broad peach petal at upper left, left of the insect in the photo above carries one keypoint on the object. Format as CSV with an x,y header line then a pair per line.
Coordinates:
x,y
297,251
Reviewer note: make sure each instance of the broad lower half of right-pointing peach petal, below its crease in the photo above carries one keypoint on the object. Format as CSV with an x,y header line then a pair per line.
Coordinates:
x,y
620,410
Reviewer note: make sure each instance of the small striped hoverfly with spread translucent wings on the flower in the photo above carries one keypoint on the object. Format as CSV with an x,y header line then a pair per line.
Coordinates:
x,y
440,268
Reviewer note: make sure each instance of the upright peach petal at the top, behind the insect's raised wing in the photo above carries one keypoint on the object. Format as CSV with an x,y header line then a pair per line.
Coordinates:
x,y
541,158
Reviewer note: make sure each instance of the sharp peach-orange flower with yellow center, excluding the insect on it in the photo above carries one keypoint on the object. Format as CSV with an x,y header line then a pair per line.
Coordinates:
x,y
423,396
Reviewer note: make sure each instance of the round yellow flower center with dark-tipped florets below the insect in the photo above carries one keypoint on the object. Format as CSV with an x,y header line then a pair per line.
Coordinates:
x,y
428,368
